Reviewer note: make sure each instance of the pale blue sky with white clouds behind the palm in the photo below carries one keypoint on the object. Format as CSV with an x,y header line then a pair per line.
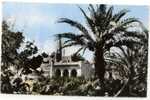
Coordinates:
x,y
38,21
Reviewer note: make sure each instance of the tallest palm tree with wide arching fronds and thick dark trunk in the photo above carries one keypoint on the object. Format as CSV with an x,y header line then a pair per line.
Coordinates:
x,y
104,30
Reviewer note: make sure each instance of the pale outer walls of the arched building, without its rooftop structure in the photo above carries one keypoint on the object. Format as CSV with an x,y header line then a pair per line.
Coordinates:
x,y
82,68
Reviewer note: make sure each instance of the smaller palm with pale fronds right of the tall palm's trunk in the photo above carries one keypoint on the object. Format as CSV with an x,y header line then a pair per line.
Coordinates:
x,y
128,61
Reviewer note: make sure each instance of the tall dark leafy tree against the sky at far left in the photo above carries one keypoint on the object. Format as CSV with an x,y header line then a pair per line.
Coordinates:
x,y
11,41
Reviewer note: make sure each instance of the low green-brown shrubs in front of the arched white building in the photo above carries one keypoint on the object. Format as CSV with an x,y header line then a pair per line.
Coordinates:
x,y
66,86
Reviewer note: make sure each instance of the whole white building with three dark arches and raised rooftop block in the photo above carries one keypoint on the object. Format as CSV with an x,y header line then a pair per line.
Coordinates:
x,y
67,68
